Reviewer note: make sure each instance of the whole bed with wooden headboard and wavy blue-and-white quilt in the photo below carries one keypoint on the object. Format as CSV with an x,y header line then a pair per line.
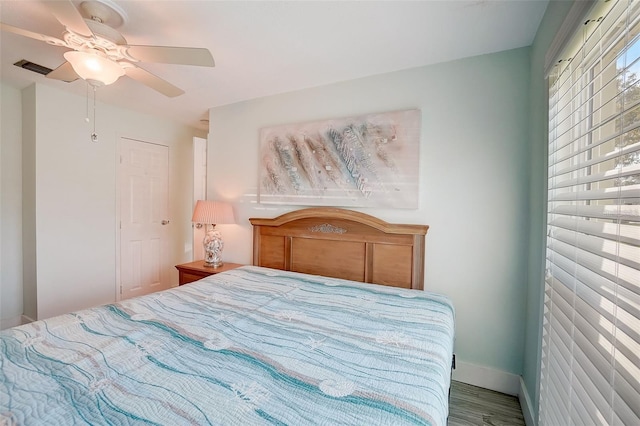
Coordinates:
x,y
255,345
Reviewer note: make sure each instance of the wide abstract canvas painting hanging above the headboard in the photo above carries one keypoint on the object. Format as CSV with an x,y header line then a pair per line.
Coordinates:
x,y
365,161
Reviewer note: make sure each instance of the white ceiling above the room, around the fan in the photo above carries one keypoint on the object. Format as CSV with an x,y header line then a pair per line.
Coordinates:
x,y
266,47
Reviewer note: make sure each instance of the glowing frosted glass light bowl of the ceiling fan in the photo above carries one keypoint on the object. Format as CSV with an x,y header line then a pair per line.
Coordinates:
x,y
97,70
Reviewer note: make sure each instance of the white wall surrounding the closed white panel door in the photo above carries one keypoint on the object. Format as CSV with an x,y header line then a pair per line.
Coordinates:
x,y
74,193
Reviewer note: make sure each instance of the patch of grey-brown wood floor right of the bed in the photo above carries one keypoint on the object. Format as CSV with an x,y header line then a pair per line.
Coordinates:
x,y
471,405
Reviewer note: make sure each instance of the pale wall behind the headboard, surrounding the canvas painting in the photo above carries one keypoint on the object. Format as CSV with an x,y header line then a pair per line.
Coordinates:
x,y
473,183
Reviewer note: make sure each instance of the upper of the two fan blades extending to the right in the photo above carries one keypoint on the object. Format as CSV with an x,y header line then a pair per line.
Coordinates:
x,y
172,55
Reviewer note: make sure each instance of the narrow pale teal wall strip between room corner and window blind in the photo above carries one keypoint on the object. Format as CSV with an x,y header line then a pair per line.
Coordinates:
x,y
551,22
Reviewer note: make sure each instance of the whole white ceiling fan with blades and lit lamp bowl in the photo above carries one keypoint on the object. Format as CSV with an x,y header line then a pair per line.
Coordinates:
x,y
100,54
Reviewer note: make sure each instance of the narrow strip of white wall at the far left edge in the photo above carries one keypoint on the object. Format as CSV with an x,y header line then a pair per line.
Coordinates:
x,y
10,206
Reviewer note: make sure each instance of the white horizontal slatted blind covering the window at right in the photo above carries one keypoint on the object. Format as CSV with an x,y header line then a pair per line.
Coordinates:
x,y
590,371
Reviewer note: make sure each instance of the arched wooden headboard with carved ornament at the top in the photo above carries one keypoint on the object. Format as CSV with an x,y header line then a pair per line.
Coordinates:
x,y
343,244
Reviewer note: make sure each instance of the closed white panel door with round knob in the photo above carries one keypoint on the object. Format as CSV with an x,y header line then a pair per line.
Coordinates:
x,y
144,221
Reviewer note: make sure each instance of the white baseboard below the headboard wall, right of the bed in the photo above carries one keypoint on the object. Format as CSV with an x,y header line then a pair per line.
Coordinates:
x,y
486,377
